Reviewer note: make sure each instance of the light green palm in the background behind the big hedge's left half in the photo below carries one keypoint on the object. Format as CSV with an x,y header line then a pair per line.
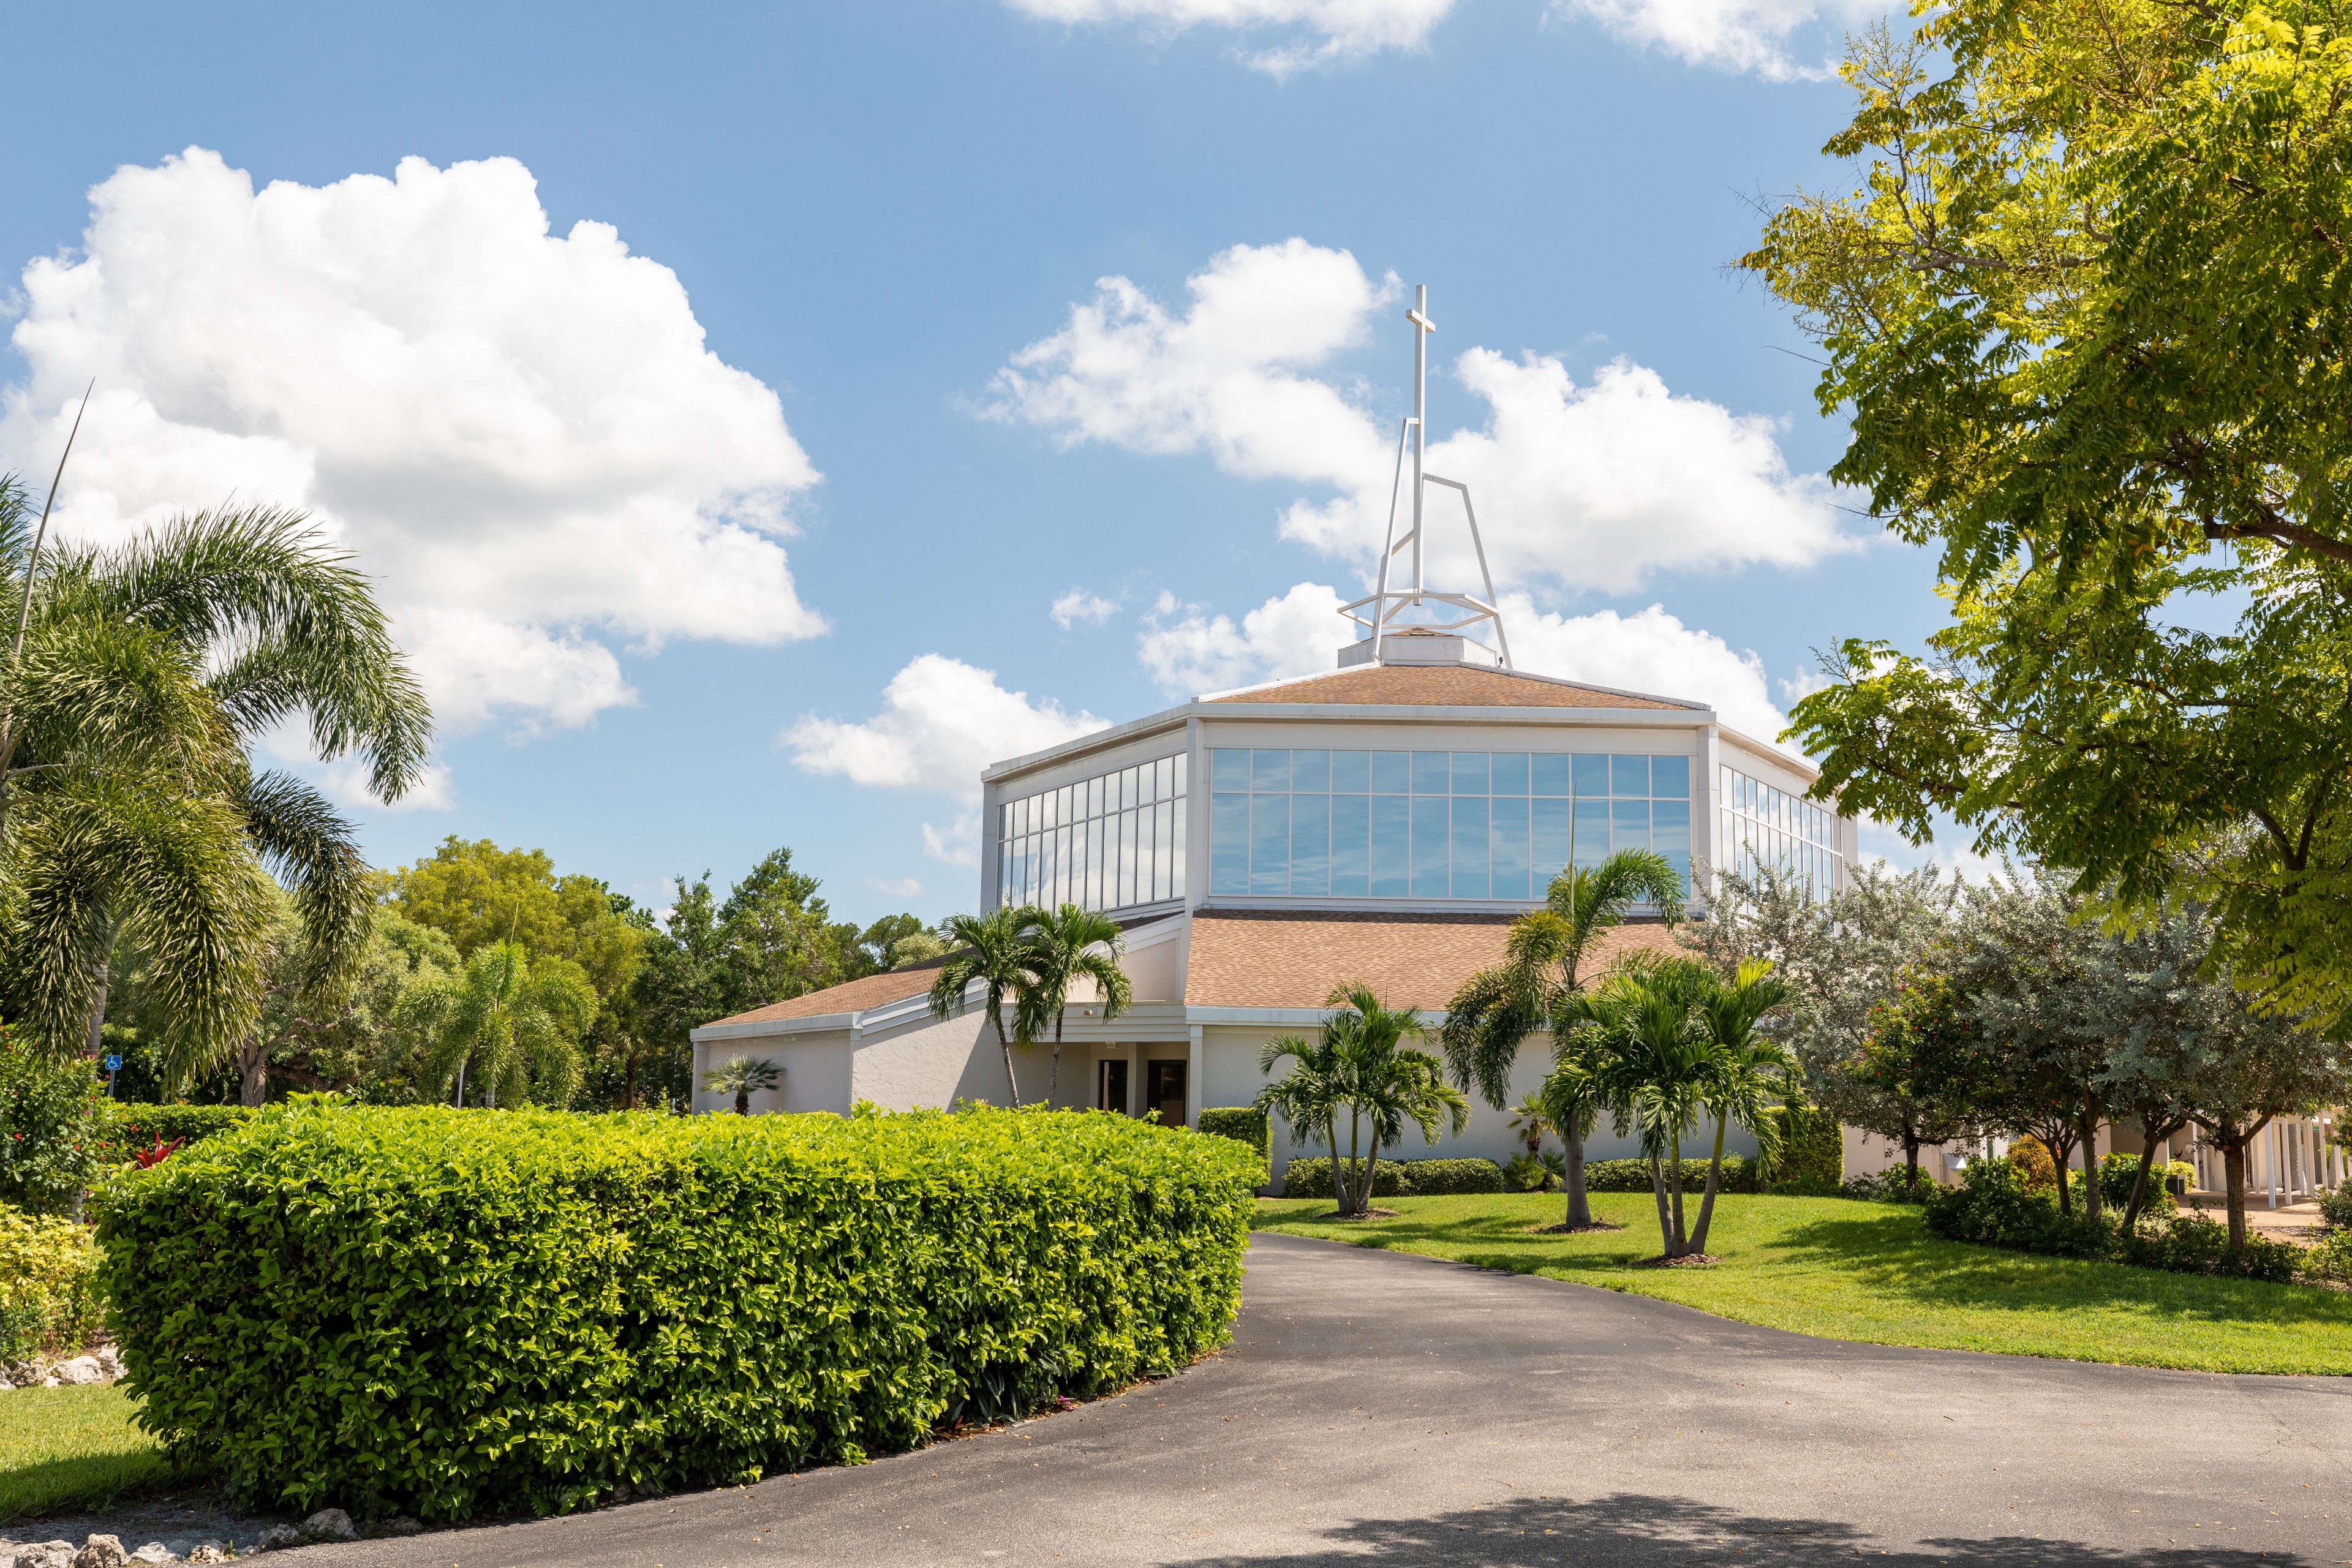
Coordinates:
x,y
507,1021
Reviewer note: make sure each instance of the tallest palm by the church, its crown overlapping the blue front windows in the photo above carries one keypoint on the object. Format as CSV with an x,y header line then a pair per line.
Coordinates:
x,y
1497,1010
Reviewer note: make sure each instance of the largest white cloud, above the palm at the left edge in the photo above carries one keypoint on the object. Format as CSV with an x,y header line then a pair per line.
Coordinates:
x,y
523,436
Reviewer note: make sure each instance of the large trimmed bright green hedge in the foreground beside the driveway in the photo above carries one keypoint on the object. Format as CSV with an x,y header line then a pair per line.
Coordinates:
x,y
455,1313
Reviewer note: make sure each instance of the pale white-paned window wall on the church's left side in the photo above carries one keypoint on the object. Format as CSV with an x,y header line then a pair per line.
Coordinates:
x,y
1109,843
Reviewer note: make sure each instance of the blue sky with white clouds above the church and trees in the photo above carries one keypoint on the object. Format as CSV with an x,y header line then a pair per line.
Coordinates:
x,y
688,601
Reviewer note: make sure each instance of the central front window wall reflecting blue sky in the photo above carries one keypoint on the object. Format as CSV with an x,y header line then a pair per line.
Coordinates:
x,y
1314,824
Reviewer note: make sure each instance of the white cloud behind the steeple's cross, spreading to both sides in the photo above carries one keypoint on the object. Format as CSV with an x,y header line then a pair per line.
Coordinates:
x,y
1579,485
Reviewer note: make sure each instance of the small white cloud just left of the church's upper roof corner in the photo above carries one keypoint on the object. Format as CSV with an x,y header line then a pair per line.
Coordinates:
x,y
942,723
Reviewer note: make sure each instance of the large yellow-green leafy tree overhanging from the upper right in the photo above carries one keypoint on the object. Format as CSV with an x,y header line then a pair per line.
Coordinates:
x,y
2087,316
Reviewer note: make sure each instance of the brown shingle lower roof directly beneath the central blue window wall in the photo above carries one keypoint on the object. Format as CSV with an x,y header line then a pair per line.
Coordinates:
x,y
1297,958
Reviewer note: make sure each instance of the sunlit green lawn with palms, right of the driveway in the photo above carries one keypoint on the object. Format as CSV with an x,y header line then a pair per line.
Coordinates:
x,y
1850,1271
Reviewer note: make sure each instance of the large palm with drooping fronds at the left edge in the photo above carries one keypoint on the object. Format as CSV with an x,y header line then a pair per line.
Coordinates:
x,y
135,683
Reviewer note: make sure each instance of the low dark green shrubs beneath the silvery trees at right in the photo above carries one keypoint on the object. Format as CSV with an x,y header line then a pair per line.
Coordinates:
x,y
1993,1207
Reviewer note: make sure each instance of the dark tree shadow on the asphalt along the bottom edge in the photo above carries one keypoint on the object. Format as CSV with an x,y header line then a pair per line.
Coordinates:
x,y
1636,1529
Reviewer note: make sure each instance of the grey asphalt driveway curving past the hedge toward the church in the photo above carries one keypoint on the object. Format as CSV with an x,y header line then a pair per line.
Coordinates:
x,y
1387,1409
